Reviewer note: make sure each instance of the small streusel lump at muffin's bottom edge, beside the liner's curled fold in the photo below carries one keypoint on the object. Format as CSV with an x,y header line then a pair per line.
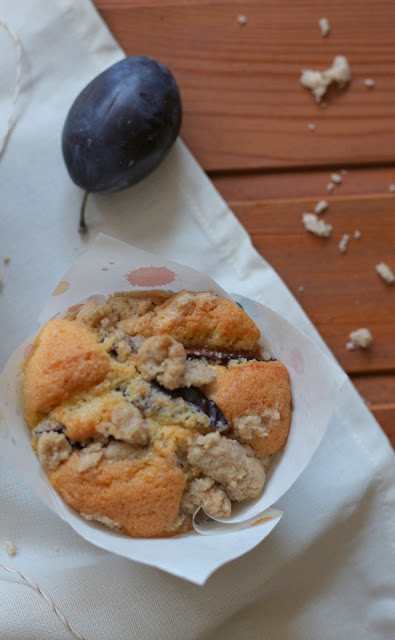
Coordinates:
x,y
204,492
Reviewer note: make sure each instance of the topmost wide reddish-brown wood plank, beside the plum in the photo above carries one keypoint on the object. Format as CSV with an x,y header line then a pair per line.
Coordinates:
x,y
243,104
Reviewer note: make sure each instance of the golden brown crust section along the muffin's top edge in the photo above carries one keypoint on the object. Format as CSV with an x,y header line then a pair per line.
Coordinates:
x,y
198,319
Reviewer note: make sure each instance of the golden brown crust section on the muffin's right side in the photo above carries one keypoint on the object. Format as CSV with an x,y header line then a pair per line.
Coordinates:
x,y
256,389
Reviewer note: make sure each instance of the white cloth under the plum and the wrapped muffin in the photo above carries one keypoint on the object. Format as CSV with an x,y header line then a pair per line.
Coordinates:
x,y
328,569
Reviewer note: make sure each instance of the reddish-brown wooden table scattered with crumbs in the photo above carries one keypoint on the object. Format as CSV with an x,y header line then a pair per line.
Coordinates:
x,y
246,121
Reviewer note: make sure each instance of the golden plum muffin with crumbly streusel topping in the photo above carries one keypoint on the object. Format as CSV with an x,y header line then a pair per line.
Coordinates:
x,y
151,404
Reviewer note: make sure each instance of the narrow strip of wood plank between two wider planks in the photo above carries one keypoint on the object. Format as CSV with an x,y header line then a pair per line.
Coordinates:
x,y
302,184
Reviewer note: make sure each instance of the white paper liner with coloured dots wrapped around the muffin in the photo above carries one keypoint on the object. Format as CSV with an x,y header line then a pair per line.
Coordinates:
x,y
111,265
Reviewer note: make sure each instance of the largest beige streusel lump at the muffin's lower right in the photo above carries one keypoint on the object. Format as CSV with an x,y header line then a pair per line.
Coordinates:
x,y
229,463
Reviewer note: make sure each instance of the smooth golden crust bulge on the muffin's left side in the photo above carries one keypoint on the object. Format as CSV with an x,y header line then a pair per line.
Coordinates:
x,y
66,358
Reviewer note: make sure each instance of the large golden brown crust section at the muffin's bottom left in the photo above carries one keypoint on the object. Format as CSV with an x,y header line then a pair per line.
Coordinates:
x,y
143,496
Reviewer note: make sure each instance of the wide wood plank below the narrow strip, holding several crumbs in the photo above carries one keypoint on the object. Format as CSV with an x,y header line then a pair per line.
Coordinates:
x,y
341,292
